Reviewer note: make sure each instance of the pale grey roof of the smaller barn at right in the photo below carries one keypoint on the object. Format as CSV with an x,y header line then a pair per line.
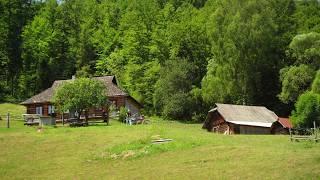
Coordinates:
x,y
246,115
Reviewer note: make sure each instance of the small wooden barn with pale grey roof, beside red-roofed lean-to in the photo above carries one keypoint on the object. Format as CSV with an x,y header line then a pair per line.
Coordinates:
x,y
239,119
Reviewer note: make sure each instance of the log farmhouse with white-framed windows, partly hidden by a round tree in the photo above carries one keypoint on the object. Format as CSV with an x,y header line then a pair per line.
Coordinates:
x,y
42,103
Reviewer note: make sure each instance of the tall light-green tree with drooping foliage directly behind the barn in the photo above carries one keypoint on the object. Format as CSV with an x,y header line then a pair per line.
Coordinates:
x,y
246,38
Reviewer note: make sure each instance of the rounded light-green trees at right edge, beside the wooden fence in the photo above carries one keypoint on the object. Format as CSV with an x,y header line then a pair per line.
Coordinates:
x,y
297,79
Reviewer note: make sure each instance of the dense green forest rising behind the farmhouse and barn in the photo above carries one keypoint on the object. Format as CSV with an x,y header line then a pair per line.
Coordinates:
x,y
176,57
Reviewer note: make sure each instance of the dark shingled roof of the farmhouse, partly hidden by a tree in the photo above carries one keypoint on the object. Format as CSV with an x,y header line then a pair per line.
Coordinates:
x,y
46,95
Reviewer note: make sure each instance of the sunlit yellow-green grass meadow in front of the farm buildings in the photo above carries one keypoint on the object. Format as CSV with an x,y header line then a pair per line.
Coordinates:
x,y
125,152
